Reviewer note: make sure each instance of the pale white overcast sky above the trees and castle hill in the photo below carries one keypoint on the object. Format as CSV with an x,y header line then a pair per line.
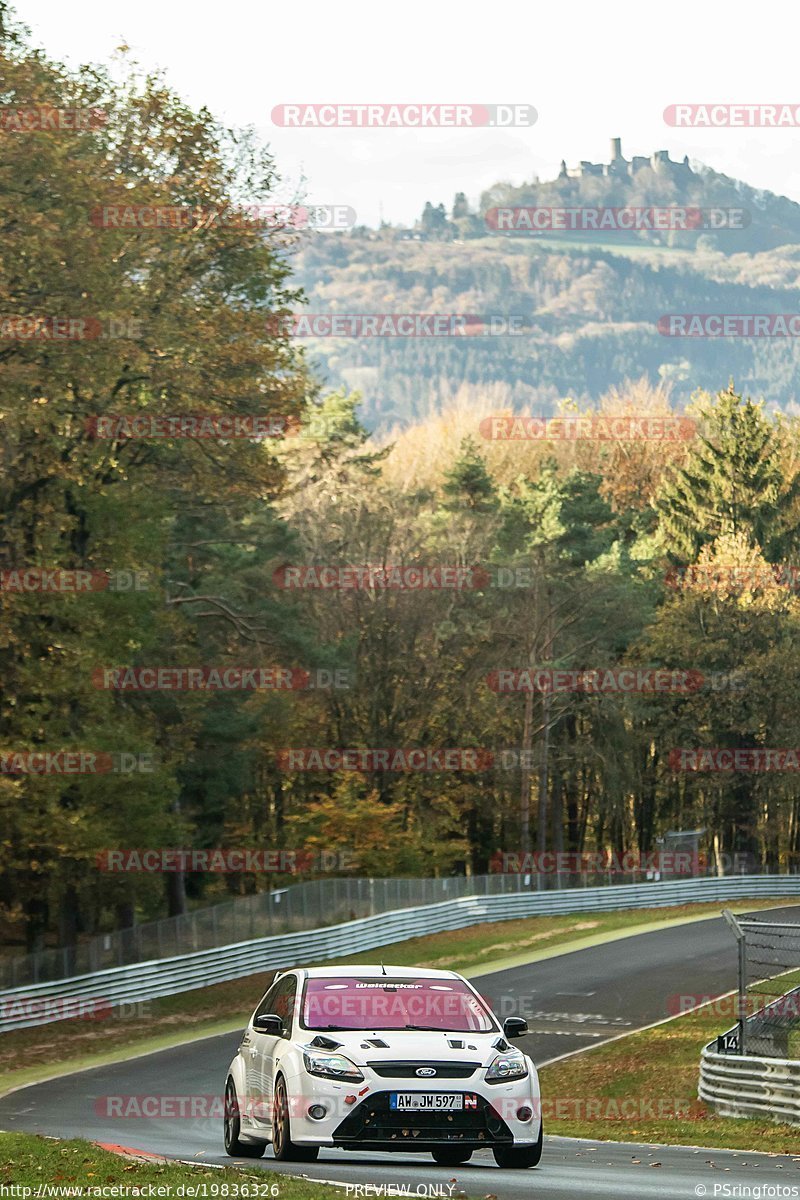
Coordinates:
x,y
592,71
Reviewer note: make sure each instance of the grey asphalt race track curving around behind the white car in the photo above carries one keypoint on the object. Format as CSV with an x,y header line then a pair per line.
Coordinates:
x,y
572,1003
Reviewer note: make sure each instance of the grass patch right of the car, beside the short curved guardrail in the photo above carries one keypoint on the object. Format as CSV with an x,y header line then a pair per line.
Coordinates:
x,y
643,1088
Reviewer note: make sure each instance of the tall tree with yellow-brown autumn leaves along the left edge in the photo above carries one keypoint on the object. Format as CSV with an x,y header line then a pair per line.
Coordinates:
x,y
169,321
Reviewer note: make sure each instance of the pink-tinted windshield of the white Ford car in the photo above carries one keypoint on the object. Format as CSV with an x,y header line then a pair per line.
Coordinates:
x,y
387,1004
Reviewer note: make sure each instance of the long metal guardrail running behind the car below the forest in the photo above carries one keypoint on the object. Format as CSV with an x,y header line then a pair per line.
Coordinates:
x,y
43,1004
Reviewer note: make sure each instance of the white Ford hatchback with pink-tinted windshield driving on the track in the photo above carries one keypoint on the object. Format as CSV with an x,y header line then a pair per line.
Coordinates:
x,y
382,1059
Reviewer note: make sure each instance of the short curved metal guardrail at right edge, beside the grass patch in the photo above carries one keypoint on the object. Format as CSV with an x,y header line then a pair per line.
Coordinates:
x,y
747,1087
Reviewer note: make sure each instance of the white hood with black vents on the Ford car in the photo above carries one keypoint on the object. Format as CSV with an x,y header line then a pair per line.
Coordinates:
x,y
398,1046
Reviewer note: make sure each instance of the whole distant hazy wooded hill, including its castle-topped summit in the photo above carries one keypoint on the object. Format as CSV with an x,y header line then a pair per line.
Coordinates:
x,y
590,304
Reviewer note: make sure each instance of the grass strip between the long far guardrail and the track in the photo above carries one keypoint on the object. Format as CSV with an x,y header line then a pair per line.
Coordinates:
x,y
63,1047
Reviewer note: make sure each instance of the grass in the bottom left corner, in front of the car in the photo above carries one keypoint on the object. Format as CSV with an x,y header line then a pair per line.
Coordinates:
x,y
31,1161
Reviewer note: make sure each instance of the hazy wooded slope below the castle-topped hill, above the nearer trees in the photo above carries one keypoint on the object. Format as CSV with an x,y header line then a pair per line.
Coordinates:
x,y
591,321
